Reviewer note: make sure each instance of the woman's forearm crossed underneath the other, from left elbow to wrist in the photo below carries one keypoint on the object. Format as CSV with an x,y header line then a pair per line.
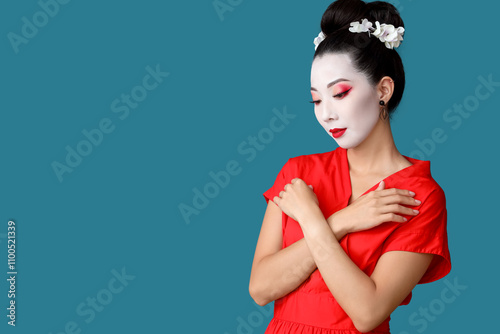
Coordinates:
x,y
282,272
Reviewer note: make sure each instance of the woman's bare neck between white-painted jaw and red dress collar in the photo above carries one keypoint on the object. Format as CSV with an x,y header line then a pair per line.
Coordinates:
x,y
377,154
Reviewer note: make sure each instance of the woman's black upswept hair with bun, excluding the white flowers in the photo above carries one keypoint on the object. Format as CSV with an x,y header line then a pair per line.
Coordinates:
x,y
369,55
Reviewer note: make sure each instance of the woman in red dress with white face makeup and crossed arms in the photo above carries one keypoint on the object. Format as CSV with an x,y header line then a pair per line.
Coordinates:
x,y
347,234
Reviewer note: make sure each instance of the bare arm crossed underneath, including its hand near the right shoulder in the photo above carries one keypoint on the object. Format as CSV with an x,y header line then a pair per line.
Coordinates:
x,y
276,272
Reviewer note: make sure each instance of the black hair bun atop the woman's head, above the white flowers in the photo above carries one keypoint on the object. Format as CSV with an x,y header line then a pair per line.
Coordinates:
x,y
341,13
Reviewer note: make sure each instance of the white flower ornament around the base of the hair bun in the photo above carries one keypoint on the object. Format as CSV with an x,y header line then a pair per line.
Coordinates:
x,y
386,33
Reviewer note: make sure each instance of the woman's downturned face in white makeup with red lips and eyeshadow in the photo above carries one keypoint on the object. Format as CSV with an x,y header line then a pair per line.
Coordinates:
x,y
344,99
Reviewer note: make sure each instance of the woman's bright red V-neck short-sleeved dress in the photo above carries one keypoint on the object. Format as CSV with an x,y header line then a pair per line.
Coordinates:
x,y
311,307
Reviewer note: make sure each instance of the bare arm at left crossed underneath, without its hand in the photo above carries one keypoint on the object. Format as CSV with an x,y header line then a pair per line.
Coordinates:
x,y
275,271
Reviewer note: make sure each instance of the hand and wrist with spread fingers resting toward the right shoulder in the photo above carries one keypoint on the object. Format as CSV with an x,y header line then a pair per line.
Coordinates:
x,y
374,208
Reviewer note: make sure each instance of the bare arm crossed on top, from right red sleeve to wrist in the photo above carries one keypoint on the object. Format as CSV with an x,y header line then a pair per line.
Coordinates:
x,y
368,300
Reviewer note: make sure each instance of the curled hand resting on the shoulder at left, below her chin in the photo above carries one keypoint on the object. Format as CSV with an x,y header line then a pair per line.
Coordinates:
x,y
297,200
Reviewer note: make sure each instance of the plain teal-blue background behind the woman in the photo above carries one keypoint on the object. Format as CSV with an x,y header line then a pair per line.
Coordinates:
x,y
118,209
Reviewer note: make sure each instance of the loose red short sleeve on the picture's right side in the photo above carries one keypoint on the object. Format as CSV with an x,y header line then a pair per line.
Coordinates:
x,y
425,233
